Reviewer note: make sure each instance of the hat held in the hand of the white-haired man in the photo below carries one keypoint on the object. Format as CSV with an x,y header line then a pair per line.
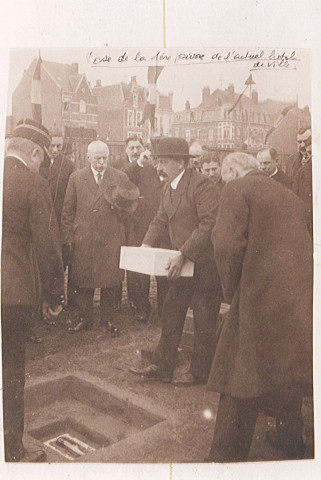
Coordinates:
x,y
123,197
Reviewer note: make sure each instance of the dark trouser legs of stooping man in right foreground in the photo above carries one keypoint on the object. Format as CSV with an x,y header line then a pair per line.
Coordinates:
x,y
236,419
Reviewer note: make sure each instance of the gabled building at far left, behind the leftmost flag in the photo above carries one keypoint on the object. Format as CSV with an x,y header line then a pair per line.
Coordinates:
x,y
67,102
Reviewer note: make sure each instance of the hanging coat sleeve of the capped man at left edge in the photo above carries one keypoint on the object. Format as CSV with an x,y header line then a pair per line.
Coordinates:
x,y
46,241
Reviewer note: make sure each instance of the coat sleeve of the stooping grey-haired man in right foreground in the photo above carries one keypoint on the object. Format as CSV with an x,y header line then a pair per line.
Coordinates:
x,y
230,236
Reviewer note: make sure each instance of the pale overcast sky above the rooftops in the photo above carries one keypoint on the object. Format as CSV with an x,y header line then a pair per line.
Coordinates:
x,y
186,81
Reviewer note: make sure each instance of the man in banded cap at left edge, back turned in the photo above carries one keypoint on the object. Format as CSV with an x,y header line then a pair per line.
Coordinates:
x,y
27,223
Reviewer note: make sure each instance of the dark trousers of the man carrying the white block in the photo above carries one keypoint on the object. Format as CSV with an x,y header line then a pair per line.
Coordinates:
x,y
205,310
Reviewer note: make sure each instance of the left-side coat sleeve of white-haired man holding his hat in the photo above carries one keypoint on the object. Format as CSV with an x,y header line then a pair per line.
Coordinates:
x,y
69,211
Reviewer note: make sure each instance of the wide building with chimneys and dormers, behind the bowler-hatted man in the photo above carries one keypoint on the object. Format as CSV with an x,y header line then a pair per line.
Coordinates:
x,y
216,124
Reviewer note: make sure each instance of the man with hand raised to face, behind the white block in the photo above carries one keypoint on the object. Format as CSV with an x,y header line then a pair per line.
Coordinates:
x,y
143,174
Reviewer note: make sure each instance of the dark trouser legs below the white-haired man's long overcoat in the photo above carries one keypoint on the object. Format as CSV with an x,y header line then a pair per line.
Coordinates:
x,y
84,301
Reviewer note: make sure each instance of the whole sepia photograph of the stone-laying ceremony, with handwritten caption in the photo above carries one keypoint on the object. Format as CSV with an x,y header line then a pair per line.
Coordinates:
x,y
157,265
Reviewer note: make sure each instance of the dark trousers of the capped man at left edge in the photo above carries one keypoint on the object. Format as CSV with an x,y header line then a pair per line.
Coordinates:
x,y
15,328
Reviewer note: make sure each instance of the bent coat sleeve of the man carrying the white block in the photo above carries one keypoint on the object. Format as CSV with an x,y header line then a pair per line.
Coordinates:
x,y
206,198
